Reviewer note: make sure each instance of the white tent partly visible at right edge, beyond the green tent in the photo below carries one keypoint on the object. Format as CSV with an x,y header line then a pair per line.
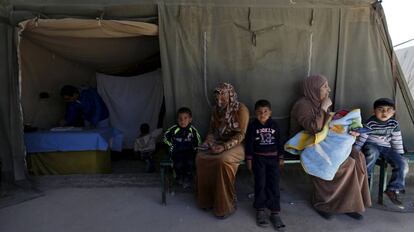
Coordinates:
x,y
406,59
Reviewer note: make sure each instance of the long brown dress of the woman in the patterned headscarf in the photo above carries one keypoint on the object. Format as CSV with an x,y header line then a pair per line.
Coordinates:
x,y
216,172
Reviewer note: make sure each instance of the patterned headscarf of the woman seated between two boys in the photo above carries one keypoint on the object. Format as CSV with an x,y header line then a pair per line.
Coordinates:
x,y
228,116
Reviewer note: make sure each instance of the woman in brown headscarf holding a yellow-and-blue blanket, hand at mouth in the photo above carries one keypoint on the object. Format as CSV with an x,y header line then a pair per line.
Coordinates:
x,y
348,192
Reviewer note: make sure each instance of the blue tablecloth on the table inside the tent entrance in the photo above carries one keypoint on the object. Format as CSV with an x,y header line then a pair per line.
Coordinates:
x,y
84,140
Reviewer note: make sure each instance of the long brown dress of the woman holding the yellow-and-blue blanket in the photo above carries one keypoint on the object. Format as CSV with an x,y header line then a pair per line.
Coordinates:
x,y
349,190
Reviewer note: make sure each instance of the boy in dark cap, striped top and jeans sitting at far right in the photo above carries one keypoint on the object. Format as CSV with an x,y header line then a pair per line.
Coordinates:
x,y
384,140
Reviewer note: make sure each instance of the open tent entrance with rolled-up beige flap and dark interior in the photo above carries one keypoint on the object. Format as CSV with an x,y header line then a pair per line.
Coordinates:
x,y
120,58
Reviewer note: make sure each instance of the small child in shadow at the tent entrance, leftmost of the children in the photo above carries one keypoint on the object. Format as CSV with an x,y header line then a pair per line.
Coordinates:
x,y
145,145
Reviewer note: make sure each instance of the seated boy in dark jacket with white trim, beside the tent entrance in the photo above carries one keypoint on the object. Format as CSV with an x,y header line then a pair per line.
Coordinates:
x,y
183,140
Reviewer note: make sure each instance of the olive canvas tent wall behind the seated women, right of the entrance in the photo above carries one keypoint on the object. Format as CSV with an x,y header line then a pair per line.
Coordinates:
x,y
266,48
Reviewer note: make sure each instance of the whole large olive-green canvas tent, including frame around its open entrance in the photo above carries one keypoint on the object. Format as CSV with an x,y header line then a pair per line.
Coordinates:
x,y
263,47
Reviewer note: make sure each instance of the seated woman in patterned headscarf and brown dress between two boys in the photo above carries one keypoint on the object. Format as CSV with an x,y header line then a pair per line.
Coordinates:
x,y
217,166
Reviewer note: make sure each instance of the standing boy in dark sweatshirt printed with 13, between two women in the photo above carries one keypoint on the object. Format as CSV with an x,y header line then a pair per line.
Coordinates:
x,y
264,153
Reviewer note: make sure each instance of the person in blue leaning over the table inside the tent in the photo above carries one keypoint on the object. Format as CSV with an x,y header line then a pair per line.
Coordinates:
x,y
84,107
